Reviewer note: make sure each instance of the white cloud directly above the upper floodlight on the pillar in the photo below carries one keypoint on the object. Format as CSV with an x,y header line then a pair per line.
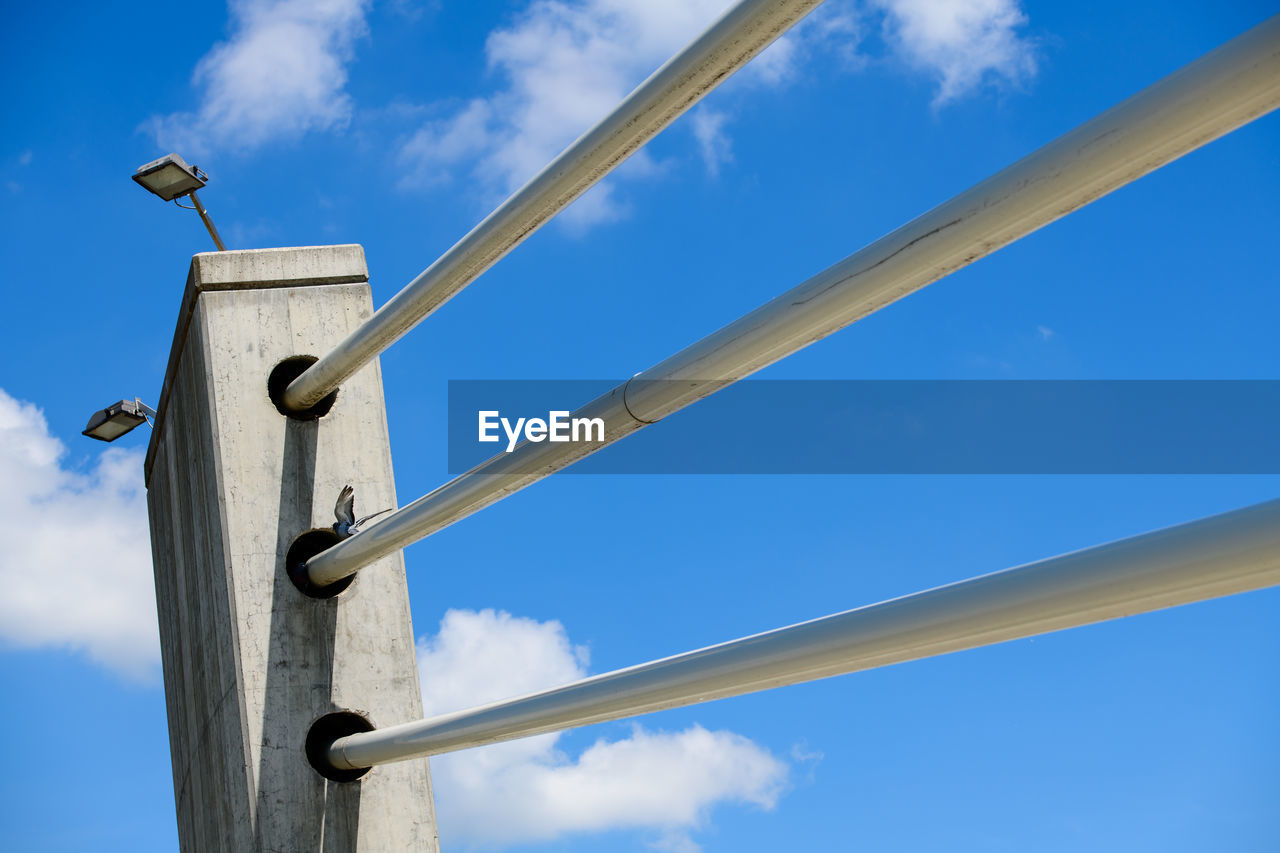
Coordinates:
x,y
284,72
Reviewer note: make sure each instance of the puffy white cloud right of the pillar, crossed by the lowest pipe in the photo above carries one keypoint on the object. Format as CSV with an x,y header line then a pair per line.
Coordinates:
x,y
532,791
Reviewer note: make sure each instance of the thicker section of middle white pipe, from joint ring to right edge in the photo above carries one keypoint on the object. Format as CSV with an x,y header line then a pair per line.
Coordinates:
x,y
1217,94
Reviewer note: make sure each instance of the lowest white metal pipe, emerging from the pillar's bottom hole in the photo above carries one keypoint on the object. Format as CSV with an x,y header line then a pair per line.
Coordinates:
x,y
1217,556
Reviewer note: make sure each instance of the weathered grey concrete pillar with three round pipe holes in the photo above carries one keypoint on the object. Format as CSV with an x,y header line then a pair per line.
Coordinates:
x,y
249,662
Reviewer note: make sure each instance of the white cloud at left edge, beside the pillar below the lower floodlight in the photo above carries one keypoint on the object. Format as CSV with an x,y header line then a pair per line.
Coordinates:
x,y
76,564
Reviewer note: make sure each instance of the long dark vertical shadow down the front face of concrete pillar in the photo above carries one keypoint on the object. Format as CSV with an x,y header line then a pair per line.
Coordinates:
x,y
308,813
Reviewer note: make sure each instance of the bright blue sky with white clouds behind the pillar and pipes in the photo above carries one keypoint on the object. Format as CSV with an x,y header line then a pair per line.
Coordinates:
x,y
399,126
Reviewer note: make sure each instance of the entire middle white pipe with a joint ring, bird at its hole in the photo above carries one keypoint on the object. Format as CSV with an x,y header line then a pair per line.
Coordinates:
x,y
1223,90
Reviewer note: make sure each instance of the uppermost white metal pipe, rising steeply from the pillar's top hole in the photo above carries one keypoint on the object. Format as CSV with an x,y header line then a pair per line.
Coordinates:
x,y
729,44
